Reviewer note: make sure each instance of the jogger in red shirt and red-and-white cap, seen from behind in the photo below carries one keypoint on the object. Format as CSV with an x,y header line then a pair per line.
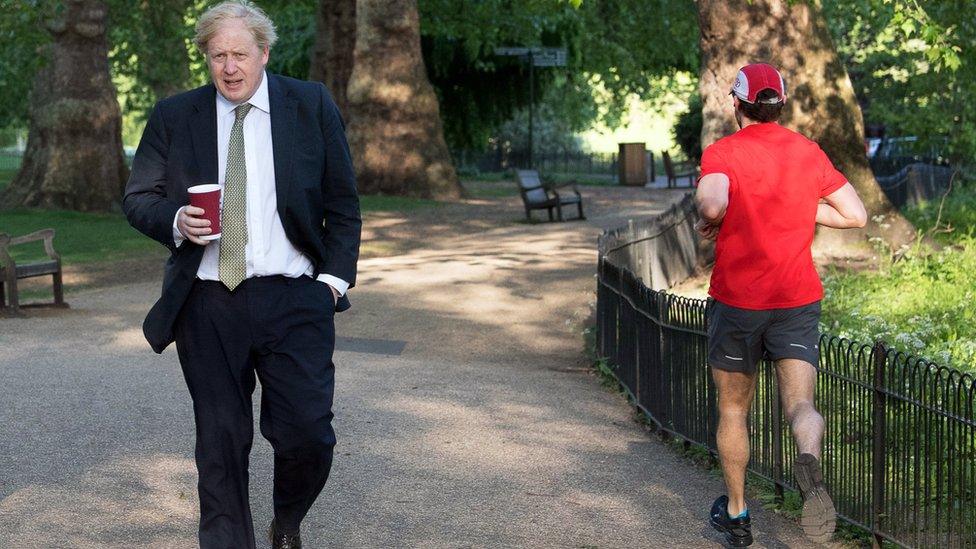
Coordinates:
x,y
762,192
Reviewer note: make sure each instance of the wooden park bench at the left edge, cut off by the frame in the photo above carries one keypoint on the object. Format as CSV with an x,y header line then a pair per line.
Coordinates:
x,y
10,272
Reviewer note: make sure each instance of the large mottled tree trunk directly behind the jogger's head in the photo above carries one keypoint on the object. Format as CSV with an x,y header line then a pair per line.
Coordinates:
x,y
820,99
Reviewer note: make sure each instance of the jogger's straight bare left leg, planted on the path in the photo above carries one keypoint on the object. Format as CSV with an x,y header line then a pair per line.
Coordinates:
x,y
735,394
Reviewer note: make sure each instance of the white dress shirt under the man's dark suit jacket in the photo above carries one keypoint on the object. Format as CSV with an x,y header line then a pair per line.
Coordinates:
x,y
269,252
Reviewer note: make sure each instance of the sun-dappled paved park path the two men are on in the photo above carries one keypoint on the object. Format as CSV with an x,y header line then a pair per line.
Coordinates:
x,y
466,414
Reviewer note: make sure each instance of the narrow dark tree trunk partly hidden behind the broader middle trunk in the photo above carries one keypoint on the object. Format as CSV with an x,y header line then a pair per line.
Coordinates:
x,y
335,41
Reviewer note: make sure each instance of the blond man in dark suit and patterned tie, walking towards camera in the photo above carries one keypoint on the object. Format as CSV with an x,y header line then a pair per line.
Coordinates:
x,y
261,299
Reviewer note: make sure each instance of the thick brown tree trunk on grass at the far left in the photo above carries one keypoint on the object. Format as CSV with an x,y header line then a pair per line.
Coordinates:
x,y
74,154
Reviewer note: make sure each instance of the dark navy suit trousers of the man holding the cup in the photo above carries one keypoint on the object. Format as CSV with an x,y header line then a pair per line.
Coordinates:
x,y
282,330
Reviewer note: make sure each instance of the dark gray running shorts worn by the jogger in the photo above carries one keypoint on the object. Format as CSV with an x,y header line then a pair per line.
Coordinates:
x,y
738,338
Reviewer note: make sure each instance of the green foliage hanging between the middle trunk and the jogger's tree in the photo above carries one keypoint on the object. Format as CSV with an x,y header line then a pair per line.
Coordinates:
x,y
607,44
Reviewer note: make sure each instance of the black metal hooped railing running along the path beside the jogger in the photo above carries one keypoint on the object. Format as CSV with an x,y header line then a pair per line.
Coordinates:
x,y
900,443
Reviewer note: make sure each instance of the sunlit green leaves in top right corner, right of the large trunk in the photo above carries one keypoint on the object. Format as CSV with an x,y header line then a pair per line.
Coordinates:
x,y
912,65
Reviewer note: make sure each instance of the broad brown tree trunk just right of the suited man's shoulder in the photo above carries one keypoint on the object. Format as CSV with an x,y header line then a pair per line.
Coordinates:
x,y
396,135
